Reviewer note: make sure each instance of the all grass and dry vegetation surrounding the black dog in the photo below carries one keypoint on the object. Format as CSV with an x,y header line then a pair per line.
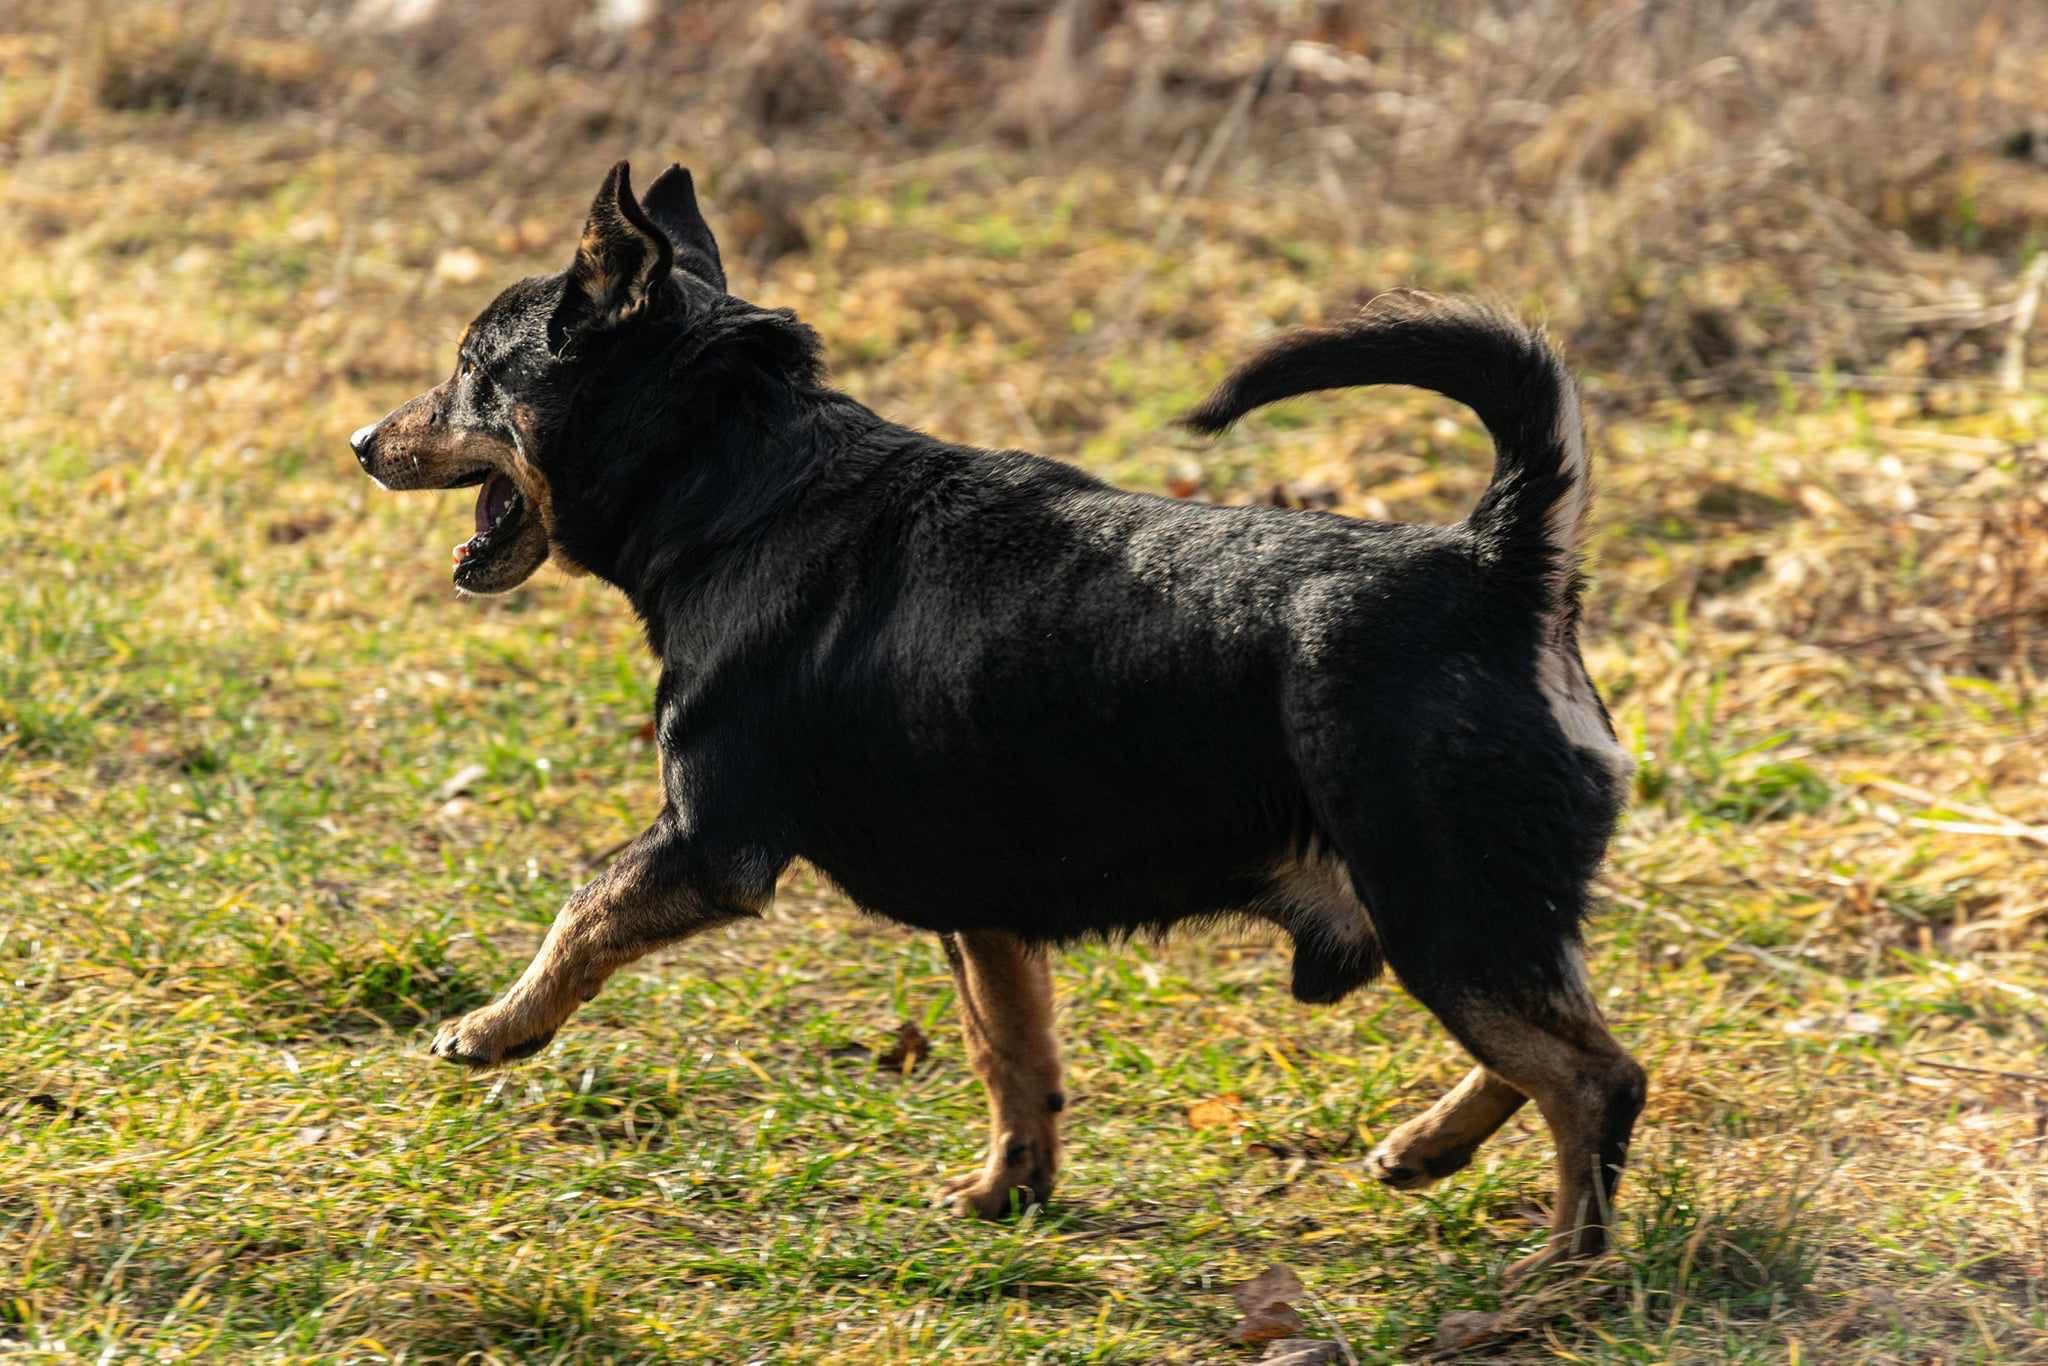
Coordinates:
x,y
273,802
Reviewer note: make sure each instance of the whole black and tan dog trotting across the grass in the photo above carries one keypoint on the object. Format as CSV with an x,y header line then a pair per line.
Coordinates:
x,y
996,699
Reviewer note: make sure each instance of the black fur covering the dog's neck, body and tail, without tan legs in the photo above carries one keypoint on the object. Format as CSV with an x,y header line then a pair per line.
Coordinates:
x,y
982,689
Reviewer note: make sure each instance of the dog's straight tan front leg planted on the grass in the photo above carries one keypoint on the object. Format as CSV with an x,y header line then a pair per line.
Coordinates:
x,y
1007,1009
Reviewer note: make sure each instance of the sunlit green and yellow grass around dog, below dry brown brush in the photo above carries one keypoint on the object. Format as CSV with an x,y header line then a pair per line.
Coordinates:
x,y
234,689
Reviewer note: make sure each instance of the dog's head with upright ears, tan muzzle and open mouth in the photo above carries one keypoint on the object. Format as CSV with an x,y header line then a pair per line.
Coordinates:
x,y
499,421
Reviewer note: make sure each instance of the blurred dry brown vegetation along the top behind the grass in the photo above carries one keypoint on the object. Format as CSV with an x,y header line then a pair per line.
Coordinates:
x,y
1699,194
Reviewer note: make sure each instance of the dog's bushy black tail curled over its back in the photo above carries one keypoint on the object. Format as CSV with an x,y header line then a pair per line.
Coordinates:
x,y
1533,519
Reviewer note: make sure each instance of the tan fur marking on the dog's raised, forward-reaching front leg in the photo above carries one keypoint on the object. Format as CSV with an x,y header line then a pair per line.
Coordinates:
x,y
615,919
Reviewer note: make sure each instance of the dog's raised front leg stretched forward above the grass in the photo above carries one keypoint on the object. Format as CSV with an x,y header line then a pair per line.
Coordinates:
x,y
665,888
